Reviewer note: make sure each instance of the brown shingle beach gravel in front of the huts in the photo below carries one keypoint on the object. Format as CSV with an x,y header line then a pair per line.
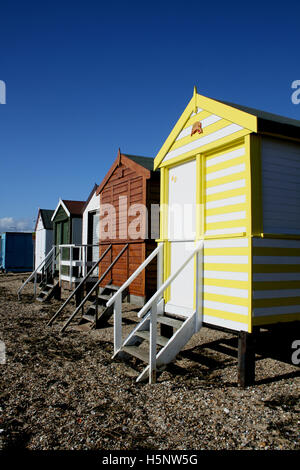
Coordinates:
x,y
64,391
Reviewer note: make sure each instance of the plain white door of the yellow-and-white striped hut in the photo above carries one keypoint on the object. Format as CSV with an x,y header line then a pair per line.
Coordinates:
x,y
181,234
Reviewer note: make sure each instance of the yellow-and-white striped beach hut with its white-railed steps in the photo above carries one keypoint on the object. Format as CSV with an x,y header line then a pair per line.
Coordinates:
x,y
229,231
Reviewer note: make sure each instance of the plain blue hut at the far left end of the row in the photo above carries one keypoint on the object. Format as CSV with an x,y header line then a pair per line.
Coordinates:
x,y
16,251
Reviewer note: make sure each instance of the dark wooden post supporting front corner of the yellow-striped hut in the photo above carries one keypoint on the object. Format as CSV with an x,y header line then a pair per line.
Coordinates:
x,y
246,359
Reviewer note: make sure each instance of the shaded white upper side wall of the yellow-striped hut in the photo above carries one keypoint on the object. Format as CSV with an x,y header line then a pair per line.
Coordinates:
x,y
281,189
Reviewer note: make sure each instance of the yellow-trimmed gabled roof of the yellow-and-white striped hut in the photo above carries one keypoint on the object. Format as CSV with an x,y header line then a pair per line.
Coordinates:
x,y
248,118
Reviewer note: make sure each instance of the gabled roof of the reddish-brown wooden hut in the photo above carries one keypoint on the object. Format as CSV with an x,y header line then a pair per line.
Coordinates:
x,y
141,165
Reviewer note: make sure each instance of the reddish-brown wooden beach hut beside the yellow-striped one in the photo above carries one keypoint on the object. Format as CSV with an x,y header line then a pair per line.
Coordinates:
x,y
129,194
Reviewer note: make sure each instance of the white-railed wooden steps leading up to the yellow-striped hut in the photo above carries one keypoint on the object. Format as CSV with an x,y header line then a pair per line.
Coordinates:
x,y
147,341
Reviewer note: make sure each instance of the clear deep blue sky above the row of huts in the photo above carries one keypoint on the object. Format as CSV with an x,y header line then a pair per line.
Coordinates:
x,y
86,77
